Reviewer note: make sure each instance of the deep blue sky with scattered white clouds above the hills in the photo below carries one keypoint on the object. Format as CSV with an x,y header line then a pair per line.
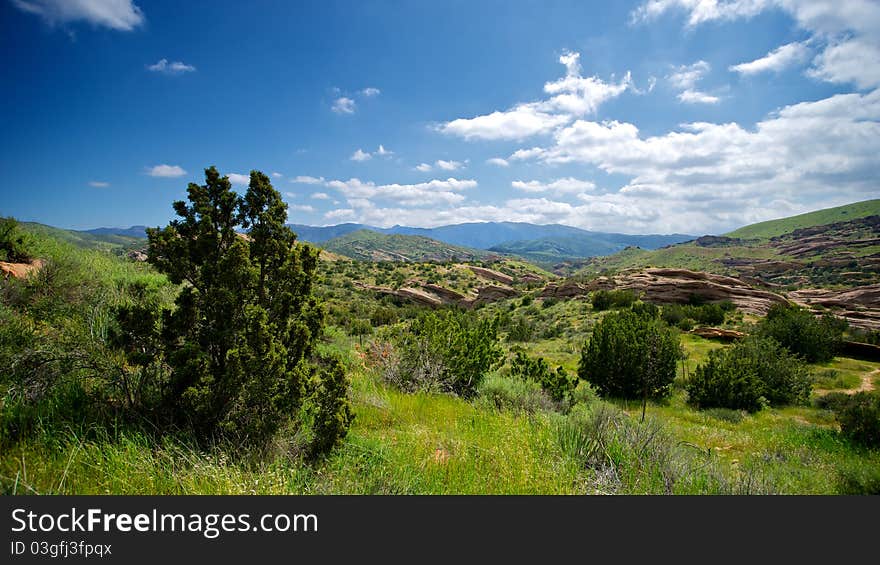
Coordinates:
x,y
690,116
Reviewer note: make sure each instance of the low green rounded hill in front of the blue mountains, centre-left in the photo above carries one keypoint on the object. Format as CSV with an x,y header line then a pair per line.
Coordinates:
x,y
367,245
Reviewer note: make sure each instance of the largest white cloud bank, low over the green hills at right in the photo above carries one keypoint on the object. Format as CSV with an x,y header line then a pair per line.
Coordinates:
x,y
705,176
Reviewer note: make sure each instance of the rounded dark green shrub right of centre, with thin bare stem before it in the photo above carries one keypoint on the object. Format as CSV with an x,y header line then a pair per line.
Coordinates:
x,y
630,356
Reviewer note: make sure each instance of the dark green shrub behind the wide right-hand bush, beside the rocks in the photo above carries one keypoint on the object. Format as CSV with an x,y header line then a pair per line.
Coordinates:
x,y
814,339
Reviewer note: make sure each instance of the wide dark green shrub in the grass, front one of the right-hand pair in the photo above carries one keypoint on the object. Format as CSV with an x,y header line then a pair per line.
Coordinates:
x,y
748,375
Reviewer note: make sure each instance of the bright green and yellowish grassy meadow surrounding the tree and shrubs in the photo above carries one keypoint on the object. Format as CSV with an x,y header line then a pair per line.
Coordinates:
x,y
506,439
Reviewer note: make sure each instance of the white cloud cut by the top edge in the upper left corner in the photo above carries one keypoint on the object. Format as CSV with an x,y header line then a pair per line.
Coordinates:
x,y
121,15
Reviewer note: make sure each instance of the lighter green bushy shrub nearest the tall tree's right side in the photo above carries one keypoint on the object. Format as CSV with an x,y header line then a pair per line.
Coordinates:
x,y
448,351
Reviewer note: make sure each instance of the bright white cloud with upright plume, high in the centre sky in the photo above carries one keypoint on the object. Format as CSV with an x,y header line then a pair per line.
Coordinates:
x,y
569,97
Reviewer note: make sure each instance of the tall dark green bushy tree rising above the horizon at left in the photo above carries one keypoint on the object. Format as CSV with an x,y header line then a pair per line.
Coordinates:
x,y
240,341
